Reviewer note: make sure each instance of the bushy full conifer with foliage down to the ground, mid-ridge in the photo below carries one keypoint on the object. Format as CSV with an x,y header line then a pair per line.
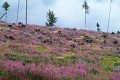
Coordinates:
x,y
51,18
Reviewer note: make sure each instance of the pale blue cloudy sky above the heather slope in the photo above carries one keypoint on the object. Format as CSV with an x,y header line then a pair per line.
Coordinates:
x,y
69,12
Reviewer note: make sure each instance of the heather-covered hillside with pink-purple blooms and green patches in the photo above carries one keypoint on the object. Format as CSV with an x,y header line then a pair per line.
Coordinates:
x,y
35,52
